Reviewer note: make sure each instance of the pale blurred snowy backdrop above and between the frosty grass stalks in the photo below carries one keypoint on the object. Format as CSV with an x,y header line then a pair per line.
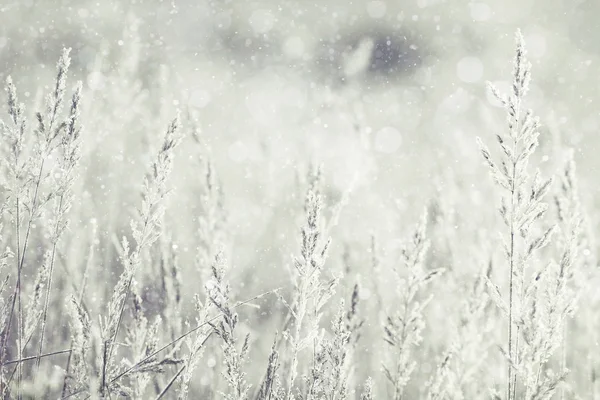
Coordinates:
x,y
387,96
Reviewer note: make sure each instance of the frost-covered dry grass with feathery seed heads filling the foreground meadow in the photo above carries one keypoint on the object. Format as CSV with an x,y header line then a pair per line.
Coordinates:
x,y
106,310
